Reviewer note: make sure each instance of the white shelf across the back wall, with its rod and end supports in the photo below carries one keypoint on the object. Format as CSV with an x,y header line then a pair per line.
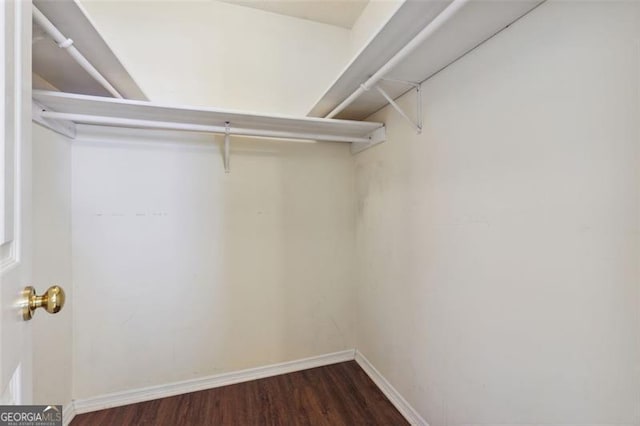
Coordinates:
x,y
62,111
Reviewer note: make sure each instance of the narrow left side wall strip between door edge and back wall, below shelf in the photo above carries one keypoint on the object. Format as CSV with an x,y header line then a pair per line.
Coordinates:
x,y
52,335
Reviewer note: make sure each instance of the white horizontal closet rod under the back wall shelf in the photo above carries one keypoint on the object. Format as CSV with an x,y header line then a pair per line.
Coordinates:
x,y
170,125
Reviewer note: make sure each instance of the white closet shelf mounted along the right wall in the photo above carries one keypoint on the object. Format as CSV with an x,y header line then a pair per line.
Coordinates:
x,y
473,23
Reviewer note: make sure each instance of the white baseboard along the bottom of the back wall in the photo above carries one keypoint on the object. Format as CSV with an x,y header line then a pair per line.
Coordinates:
x,y
162,391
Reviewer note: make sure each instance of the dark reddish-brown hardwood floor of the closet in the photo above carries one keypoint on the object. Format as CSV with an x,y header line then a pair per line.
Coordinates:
x,y
339,394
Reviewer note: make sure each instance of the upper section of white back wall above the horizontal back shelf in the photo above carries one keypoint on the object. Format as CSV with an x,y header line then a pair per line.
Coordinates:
x,y
218,54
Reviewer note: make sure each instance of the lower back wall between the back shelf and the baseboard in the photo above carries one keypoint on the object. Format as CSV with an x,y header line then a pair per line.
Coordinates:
x,y
198,272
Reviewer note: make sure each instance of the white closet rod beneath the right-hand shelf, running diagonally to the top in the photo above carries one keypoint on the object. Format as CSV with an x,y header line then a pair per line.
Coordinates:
x,y
425,33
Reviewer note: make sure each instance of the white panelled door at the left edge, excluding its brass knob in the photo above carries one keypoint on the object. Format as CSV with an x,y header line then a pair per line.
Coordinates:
x,y
15,200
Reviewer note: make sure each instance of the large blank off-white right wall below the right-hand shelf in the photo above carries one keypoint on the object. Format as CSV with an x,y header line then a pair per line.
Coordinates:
x,y
498,251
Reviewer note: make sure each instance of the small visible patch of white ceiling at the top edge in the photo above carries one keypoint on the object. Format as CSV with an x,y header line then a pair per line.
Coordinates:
x,y
342,13
